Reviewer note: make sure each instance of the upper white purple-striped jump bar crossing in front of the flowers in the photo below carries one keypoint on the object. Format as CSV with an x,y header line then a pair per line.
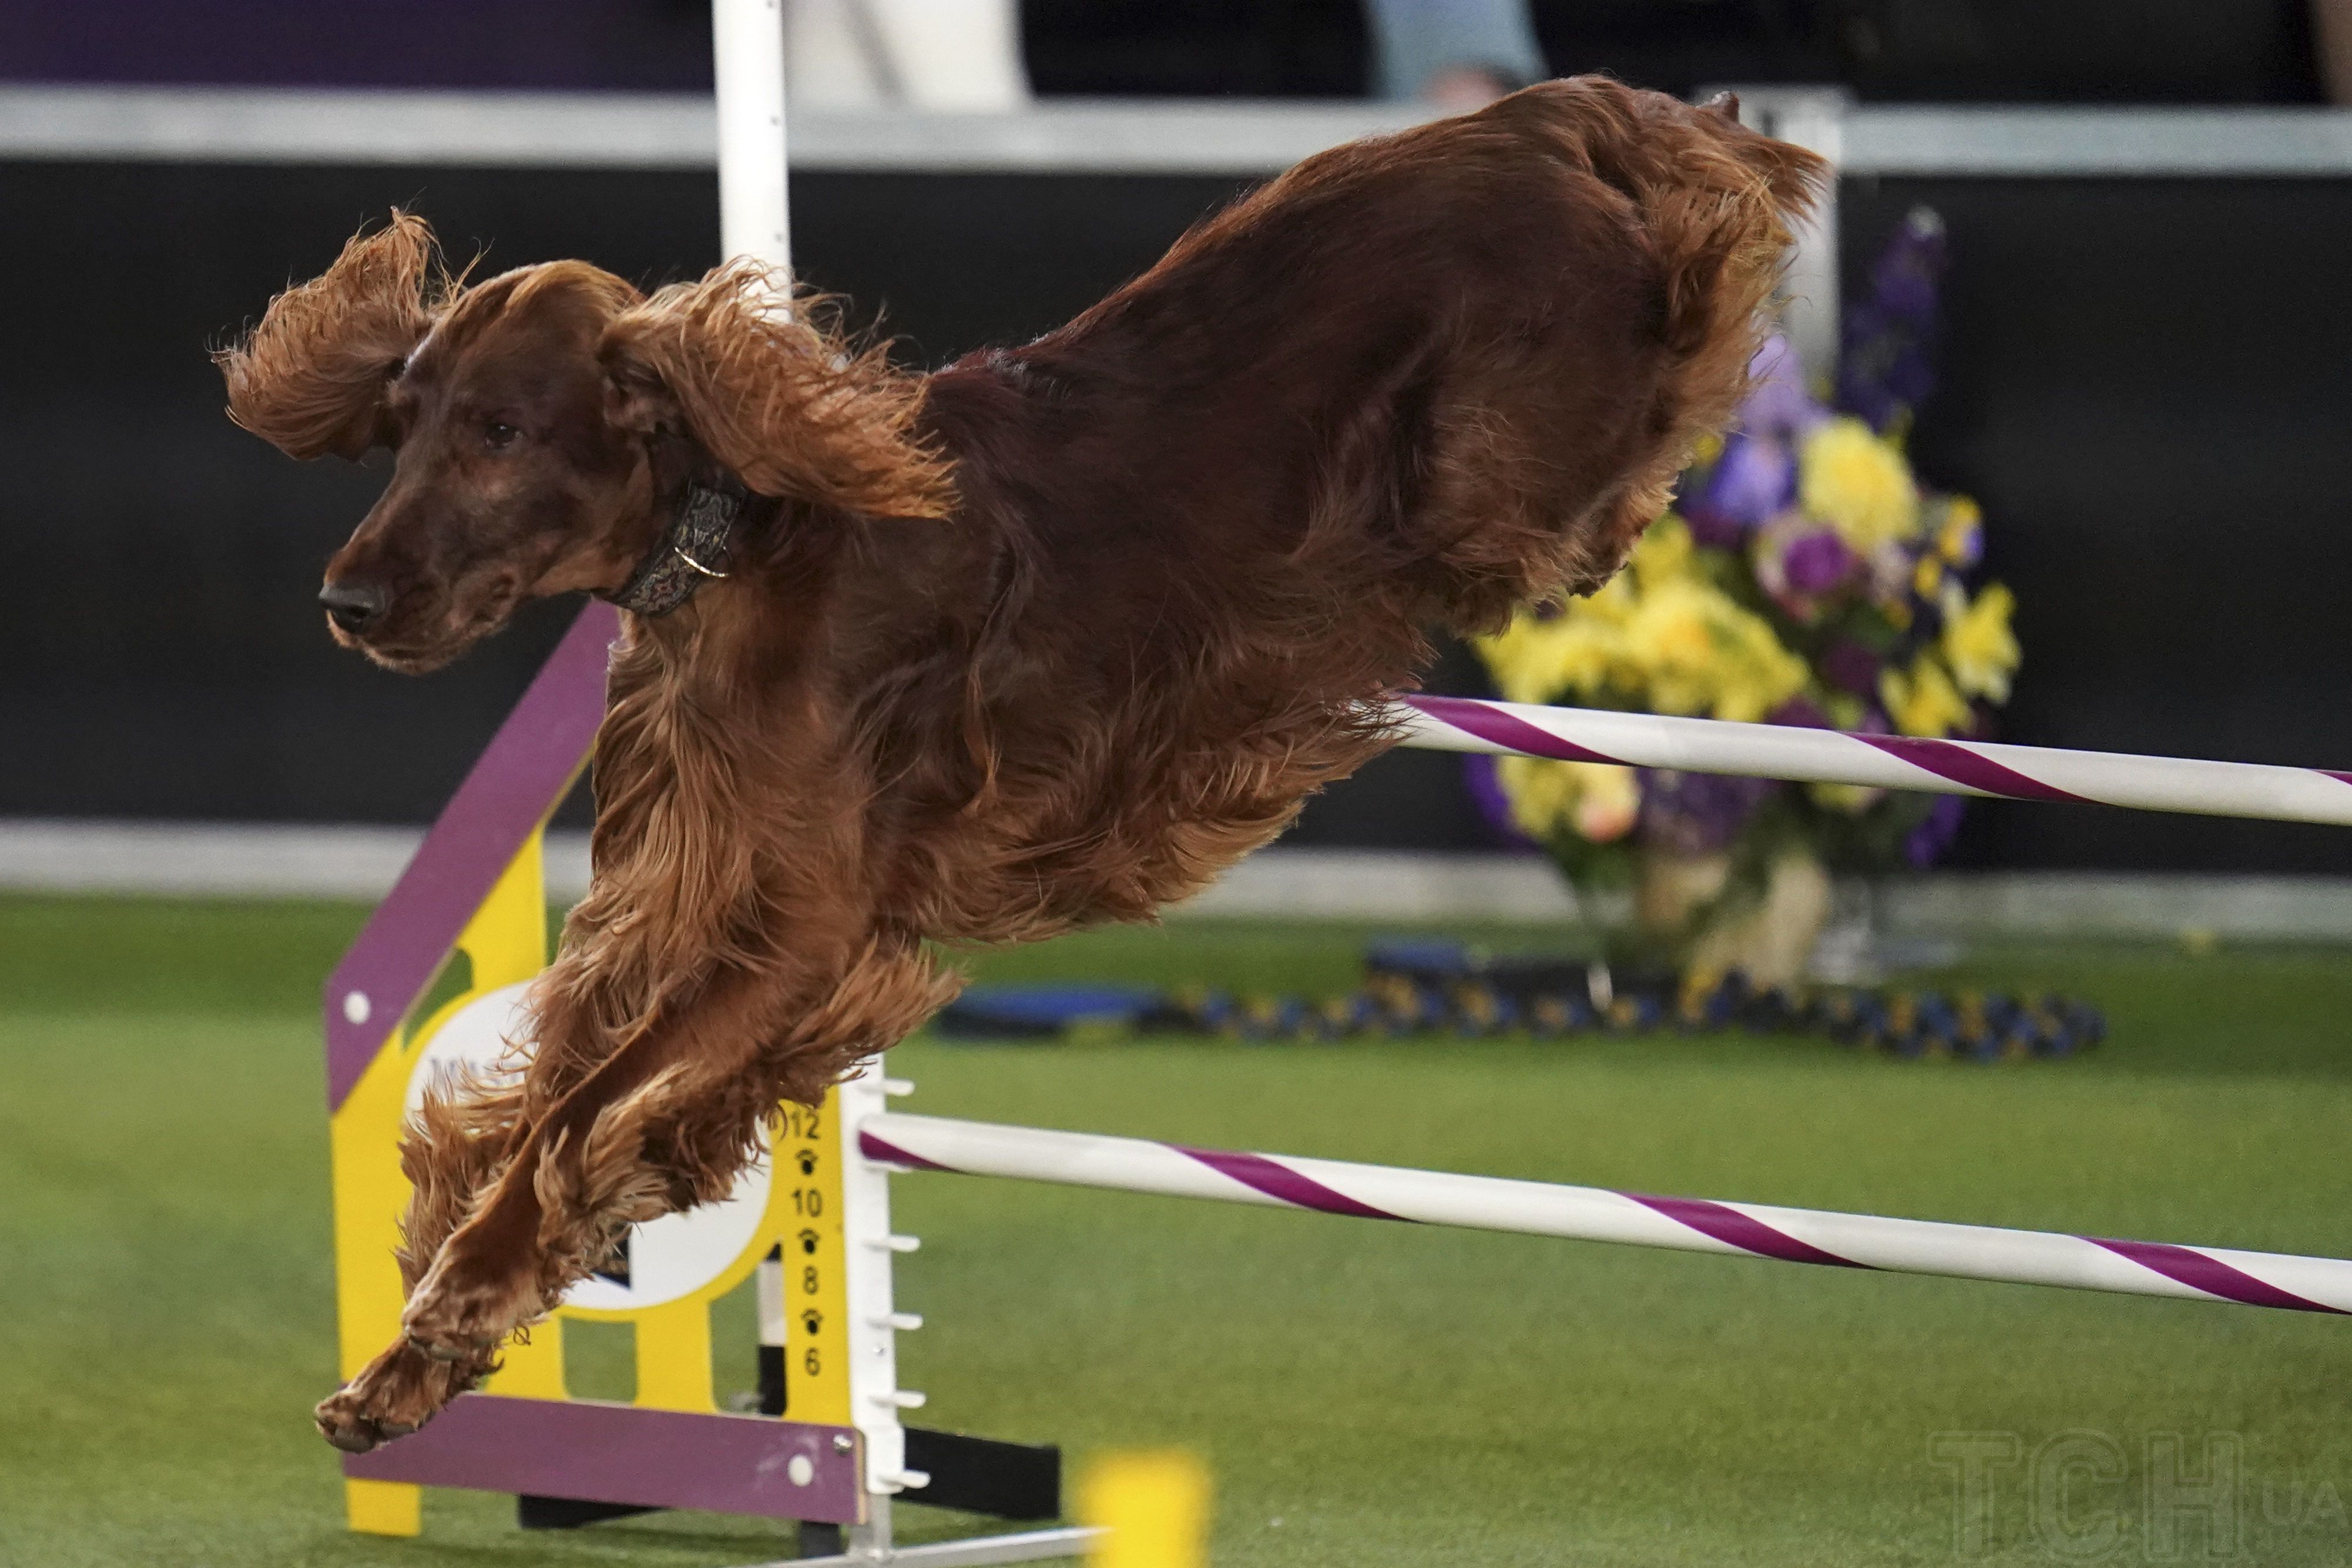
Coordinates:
x,y
1892,763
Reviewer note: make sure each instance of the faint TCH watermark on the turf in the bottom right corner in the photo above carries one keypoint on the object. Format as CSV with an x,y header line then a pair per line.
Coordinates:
x,y
2092,1499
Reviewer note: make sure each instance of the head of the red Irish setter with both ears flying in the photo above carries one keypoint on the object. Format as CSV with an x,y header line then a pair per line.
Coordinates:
x,y
547,422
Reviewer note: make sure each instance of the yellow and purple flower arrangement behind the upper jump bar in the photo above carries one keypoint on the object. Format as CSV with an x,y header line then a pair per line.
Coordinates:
x,y
1805,577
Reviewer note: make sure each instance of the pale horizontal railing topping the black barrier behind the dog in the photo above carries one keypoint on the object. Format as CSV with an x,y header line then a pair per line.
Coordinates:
x,y
1069,135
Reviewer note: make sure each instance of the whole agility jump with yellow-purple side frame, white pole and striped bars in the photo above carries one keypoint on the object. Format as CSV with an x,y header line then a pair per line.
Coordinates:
x,y
813,1219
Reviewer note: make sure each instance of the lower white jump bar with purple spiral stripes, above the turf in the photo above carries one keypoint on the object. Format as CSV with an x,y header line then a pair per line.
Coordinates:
x,y
1598,1214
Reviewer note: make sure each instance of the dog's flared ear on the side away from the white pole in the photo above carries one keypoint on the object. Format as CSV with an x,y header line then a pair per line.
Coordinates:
x,y
312,377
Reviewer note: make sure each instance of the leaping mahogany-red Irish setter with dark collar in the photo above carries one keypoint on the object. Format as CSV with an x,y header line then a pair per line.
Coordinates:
x,y
1038,641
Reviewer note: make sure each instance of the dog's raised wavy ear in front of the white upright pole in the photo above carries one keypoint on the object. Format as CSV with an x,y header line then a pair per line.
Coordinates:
x,y
773,389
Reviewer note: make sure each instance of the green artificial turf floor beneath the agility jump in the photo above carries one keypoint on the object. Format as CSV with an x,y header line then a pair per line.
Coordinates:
x,y
1368,1395
